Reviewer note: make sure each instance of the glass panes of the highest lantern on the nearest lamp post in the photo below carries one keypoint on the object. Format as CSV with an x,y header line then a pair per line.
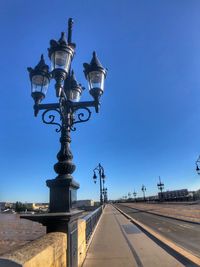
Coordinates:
x,y
60,60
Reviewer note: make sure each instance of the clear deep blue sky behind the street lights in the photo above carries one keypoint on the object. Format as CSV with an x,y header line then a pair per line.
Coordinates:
x,y
149,122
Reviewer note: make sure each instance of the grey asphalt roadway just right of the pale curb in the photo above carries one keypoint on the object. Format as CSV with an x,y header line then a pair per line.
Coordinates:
x,y
186,235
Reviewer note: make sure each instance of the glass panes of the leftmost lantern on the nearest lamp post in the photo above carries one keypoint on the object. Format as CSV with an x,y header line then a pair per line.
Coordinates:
x,y
40,83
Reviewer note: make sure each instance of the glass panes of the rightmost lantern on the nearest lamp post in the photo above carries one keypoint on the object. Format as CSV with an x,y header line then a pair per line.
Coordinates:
x,y
96,80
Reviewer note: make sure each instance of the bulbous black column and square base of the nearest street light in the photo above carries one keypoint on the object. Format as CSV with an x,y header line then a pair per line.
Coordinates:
x,y
63,187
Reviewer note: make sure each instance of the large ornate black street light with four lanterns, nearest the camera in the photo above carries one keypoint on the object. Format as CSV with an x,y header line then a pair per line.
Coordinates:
x,y
68,91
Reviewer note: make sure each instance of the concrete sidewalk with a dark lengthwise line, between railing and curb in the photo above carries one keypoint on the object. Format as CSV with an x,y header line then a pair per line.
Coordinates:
x,y
119,243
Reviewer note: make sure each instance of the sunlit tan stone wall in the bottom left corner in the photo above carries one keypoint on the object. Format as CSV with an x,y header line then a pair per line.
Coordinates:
x,y
47,251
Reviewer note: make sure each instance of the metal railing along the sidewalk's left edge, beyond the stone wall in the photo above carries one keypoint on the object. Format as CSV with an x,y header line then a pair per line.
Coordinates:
x,y
91,221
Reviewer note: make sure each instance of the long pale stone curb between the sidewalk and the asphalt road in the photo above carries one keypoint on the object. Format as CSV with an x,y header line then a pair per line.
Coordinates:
x,y
182,252
